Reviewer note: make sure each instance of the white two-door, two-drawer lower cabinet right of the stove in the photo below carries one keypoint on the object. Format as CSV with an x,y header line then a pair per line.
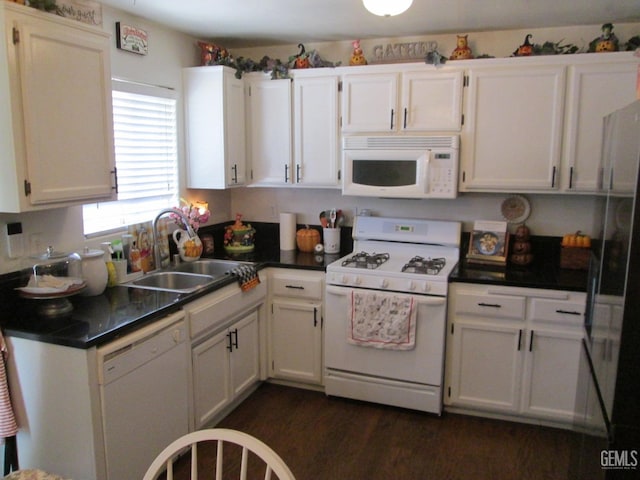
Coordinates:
x,y
514,351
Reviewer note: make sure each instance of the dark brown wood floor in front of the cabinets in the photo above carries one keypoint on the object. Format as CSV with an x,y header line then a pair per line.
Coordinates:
x,y
326,438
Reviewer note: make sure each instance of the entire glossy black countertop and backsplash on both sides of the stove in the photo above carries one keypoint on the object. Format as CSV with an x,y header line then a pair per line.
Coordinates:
x,y
120,310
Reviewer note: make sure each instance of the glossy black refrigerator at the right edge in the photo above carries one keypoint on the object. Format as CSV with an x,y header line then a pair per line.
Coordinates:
x,y
610,379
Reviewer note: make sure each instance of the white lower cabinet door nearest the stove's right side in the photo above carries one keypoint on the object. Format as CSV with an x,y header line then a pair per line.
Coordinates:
x,y
486,366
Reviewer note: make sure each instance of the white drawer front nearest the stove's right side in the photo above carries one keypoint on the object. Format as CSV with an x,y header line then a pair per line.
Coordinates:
x,y
495,306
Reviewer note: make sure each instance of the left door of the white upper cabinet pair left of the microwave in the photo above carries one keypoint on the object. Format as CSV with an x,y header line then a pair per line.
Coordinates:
x,y
269,120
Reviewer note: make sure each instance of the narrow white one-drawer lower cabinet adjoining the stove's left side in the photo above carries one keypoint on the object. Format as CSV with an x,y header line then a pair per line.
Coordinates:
x,y
295,327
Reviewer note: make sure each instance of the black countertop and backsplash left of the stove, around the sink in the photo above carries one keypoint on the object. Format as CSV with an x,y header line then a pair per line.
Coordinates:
x,y
120,310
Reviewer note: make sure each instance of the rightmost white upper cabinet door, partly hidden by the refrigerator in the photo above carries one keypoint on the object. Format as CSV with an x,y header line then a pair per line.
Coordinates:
x,y
594,91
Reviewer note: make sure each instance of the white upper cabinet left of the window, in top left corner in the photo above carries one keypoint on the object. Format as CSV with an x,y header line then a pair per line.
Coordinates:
x,y
56,144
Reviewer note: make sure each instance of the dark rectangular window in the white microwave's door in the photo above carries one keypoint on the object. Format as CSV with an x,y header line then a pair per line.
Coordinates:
x,y
385,173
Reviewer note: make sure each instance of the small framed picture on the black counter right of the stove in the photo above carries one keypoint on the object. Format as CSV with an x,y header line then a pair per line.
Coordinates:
x,y
488,243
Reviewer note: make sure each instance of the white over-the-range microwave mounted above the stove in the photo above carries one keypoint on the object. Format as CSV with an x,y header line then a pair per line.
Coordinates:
x,y
400,167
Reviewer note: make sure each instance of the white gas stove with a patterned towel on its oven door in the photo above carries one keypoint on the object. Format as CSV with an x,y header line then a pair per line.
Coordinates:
x,y
396,275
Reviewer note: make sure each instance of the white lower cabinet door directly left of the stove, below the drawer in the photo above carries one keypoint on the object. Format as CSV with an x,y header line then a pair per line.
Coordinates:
x,y
296,341
